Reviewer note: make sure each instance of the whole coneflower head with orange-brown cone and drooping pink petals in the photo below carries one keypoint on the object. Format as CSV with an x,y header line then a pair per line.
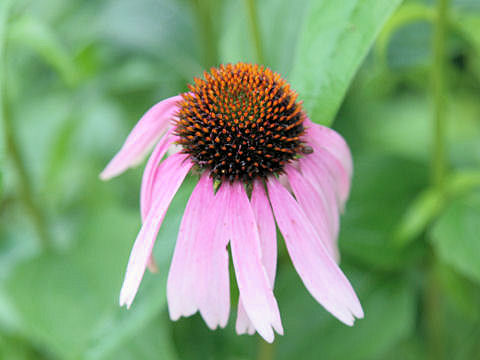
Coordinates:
x,y
261,162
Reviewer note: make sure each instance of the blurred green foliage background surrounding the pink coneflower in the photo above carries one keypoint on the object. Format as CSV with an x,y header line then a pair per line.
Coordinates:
x,y
400,81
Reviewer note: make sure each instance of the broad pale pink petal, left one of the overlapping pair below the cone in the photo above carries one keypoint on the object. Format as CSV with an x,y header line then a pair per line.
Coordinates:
x,y
183,283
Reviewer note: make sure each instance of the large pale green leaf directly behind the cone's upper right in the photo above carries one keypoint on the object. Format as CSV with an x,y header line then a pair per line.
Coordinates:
x,y
333,42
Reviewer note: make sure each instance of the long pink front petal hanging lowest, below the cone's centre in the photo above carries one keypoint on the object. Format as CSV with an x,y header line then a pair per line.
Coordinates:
x,y
253,282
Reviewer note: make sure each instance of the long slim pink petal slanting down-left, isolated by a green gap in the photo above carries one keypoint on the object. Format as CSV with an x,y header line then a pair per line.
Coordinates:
x,y
172,173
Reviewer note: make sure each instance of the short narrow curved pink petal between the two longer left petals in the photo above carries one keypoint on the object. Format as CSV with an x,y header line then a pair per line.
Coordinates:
x,y
151,171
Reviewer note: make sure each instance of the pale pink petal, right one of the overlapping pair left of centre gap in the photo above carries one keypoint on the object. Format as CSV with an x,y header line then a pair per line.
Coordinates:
x,y
211,256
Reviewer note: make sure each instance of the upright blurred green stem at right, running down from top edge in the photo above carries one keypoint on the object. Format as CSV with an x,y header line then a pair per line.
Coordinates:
x,y
439,97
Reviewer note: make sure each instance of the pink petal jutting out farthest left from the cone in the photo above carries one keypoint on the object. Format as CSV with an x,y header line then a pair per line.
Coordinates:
x,y
143,136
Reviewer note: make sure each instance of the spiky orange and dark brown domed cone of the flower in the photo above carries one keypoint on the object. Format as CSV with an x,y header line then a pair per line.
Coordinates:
x,y
240,122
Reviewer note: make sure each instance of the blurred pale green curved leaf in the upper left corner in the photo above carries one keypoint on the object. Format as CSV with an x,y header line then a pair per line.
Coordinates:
x,y
37,35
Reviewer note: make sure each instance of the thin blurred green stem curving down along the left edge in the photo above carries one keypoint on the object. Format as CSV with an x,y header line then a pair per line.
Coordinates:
x,y
11,145
